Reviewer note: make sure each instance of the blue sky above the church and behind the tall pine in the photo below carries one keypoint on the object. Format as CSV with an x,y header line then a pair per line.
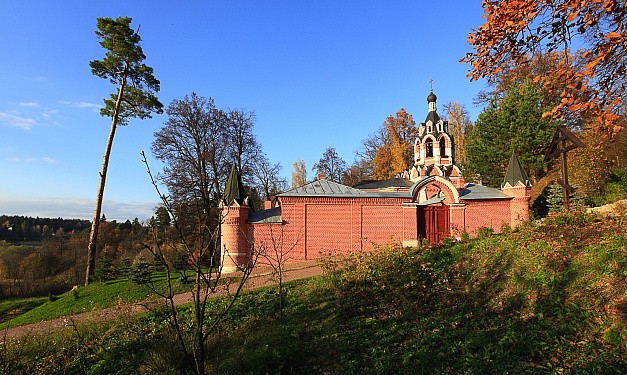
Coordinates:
x,y
317,74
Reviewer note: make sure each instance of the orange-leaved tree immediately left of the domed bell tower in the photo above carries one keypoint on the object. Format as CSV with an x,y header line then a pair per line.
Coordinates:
x,y
396,150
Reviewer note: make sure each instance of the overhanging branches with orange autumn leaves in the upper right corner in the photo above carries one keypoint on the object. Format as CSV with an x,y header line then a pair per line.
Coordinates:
x,y
593,85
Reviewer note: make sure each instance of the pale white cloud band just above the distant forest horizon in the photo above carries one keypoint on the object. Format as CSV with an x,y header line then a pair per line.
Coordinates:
x,y
76,208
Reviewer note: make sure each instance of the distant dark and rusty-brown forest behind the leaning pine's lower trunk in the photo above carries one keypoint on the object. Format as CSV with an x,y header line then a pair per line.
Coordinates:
x,y
42,256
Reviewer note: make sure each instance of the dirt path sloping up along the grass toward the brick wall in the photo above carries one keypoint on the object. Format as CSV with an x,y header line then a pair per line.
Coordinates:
x,y
260,277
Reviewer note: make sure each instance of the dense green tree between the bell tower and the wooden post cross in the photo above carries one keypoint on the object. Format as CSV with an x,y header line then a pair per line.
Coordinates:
x,y
514,122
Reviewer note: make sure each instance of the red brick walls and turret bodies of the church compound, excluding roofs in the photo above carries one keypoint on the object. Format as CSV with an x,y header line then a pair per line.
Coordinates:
x,y
313,226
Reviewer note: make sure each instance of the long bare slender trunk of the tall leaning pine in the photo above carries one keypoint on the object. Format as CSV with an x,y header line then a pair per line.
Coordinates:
x,y
95,224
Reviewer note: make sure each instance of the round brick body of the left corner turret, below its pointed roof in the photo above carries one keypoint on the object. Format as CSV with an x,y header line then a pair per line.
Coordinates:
x,y
234,238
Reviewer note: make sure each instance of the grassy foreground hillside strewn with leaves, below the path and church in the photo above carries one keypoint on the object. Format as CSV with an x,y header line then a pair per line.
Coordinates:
x,y
550,298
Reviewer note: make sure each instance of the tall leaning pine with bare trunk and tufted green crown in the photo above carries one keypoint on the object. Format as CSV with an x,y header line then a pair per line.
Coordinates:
x,y
123,65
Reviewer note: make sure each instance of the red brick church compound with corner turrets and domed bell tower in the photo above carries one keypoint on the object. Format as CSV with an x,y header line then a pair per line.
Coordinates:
x,y
431,201
